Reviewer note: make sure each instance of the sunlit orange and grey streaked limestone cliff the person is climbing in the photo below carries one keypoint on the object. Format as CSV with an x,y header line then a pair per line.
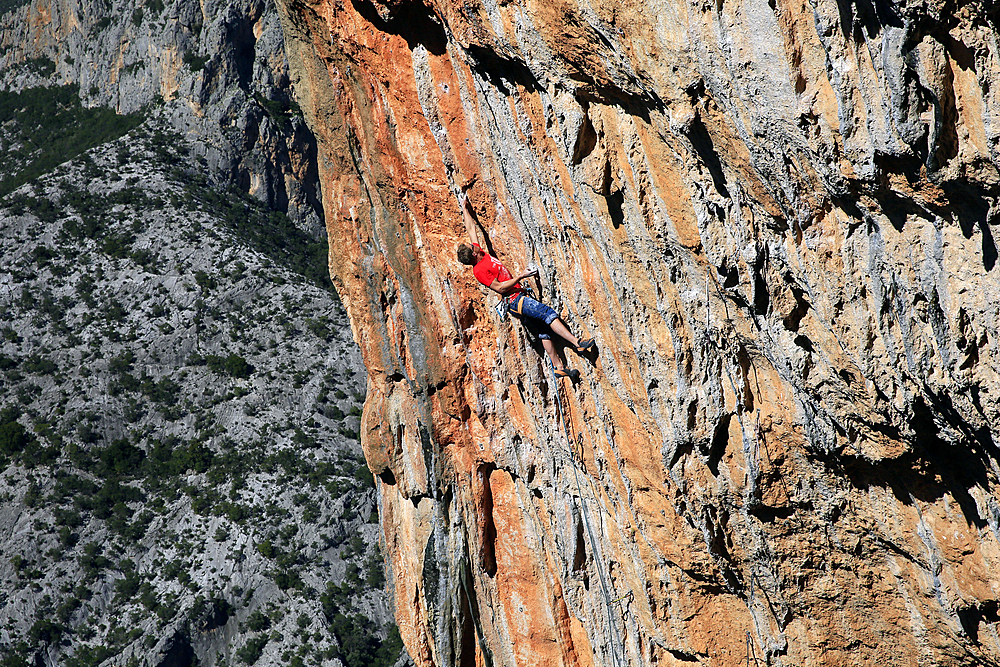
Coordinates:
x,y
777,219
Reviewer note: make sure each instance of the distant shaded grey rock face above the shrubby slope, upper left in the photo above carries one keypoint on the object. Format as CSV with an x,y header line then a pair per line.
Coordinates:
x,y
218,68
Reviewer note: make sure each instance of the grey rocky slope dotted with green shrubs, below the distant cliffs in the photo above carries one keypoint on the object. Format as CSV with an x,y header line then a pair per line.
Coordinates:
x,y
179,400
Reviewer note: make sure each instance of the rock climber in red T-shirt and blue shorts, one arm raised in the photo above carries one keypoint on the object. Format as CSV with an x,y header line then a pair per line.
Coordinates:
x,y
538,318
